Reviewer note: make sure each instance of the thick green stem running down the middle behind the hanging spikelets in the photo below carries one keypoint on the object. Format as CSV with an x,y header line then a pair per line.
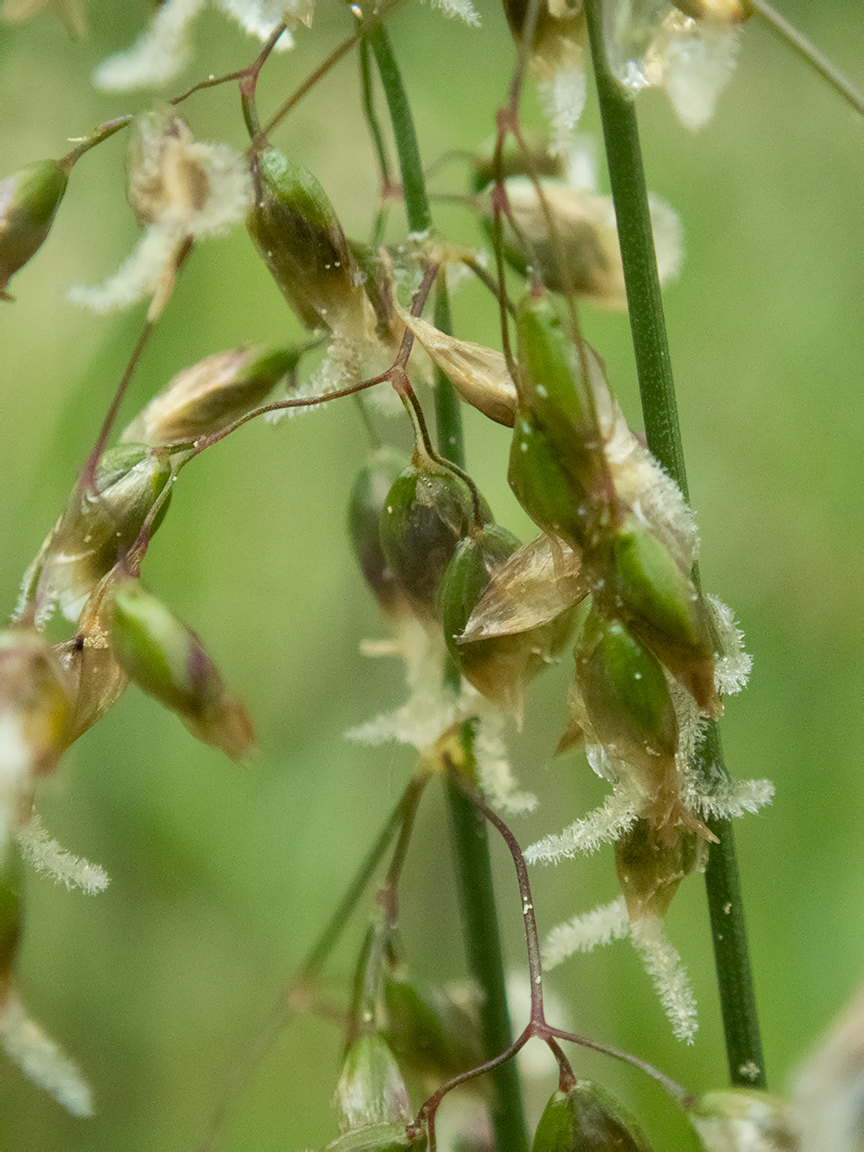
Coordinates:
x,y
478,896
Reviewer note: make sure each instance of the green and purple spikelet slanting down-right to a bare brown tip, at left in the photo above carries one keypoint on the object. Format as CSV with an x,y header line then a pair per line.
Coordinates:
x,y
168,661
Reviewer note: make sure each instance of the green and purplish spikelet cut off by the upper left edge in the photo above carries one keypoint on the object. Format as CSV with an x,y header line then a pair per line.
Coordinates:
x,y
29,201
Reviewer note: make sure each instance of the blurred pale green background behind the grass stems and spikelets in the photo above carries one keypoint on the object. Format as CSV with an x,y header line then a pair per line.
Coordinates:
x,y
222,877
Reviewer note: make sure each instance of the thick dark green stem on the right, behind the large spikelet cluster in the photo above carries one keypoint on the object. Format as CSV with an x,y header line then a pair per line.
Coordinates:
x,y
657,388
